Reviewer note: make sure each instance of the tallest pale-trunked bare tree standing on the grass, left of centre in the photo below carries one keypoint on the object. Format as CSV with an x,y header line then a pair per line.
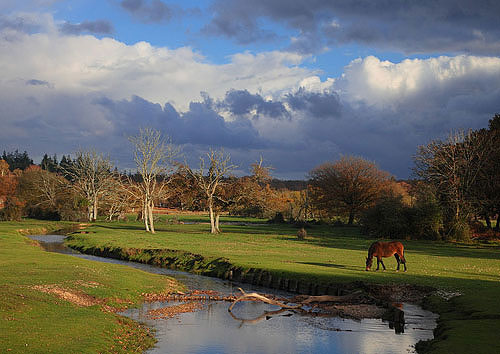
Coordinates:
x,y
154,156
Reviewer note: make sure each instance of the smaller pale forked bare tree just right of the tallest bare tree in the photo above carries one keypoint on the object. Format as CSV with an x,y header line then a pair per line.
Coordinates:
x,y
219,165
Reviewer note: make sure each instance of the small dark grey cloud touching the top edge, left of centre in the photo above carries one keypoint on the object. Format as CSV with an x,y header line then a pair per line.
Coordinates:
x,y
148,11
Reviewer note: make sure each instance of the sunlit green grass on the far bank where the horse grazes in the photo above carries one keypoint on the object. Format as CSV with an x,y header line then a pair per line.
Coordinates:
x,y
469,323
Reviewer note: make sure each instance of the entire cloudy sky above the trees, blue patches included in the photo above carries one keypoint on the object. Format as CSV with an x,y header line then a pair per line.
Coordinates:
x,y
296,82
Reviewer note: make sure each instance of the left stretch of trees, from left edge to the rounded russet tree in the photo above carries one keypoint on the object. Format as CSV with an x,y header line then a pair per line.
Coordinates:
x,y
89,186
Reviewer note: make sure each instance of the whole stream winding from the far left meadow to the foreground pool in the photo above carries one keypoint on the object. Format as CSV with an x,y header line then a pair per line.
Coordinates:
x,y
212,329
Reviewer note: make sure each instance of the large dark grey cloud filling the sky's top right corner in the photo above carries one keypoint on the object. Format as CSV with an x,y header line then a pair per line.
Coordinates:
x,y
426,26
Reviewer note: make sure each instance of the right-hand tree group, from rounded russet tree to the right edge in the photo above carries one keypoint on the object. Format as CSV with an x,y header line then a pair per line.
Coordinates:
x,y
456,184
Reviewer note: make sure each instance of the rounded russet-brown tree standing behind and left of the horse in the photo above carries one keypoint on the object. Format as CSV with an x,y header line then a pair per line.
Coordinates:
x,y
347,186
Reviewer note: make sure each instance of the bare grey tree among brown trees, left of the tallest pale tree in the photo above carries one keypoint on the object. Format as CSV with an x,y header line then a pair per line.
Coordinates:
x,y
91,173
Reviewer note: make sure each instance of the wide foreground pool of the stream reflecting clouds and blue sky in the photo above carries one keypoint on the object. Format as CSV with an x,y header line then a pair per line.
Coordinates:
x,y
213,330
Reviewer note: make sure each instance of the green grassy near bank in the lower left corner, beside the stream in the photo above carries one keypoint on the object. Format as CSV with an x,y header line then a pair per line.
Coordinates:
x,y
54,303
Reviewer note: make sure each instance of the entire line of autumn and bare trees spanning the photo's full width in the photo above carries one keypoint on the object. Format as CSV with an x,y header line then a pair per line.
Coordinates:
x,y
456,182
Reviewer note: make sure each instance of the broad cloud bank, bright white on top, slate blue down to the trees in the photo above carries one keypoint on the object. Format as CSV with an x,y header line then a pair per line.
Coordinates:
x,y
72,91
